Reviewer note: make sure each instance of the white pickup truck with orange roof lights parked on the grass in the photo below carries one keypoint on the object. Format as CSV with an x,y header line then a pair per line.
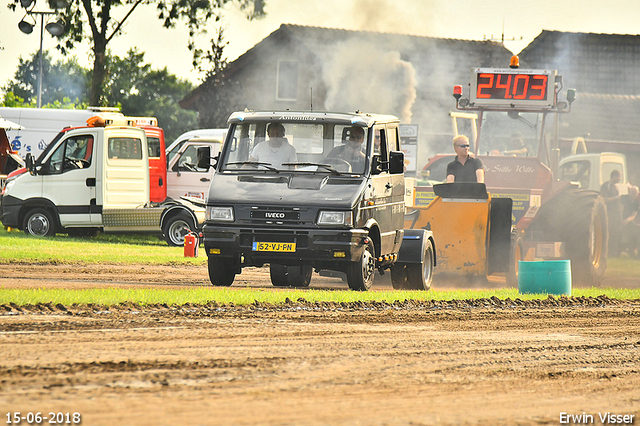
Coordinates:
x,y
94,178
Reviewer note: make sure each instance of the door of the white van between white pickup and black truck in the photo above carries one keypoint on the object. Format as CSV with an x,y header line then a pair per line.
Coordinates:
x,y
185,178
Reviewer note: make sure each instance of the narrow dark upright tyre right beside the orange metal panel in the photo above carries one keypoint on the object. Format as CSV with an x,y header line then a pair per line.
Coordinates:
x,y
499,246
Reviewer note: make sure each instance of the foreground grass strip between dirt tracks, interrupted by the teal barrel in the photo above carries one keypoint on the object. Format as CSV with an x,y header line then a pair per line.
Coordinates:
x,y
244,296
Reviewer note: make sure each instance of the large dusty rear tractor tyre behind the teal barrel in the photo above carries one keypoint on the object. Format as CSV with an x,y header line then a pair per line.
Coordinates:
x,y
578,217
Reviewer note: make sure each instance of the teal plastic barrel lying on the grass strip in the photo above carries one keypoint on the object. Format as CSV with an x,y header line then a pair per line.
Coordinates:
x,y
547,276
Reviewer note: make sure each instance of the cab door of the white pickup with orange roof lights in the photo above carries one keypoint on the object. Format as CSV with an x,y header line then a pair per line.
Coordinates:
x,y
69,180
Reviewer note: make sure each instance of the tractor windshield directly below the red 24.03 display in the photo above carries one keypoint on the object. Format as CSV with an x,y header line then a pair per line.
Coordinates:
x,y
510,134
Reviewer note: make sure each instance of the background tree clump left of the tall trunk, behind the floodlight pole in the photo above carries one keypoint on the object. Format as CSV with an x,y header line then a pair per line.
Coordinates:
x,y
62,81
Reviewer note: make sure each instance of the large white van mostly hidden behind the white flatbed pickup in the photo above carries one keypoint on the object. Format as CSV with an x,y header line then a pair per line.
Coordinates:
x,y
41,125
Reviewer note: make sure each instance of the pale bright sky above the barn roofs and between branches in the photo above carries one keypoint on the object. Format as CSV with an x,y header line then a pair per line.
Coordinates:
x,y
519,20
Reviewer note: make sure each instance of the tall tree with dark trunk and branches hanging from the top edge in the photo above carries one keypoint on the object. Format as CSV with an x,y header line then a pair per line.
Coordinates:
x,y
94,20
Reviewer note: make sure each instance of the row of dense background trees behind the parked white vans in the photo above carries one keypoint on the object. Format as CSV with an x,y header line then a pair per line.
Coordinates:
x,y
131,85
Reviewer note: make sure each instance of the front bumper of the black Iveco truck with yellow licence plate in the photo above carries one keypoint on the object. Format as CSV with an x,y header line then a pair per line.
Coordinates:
x,y
318,247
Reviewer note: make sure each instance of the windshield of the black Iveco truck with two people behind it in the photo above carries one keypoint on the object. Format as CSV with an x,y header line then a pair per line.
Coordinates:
x,y
296,147
